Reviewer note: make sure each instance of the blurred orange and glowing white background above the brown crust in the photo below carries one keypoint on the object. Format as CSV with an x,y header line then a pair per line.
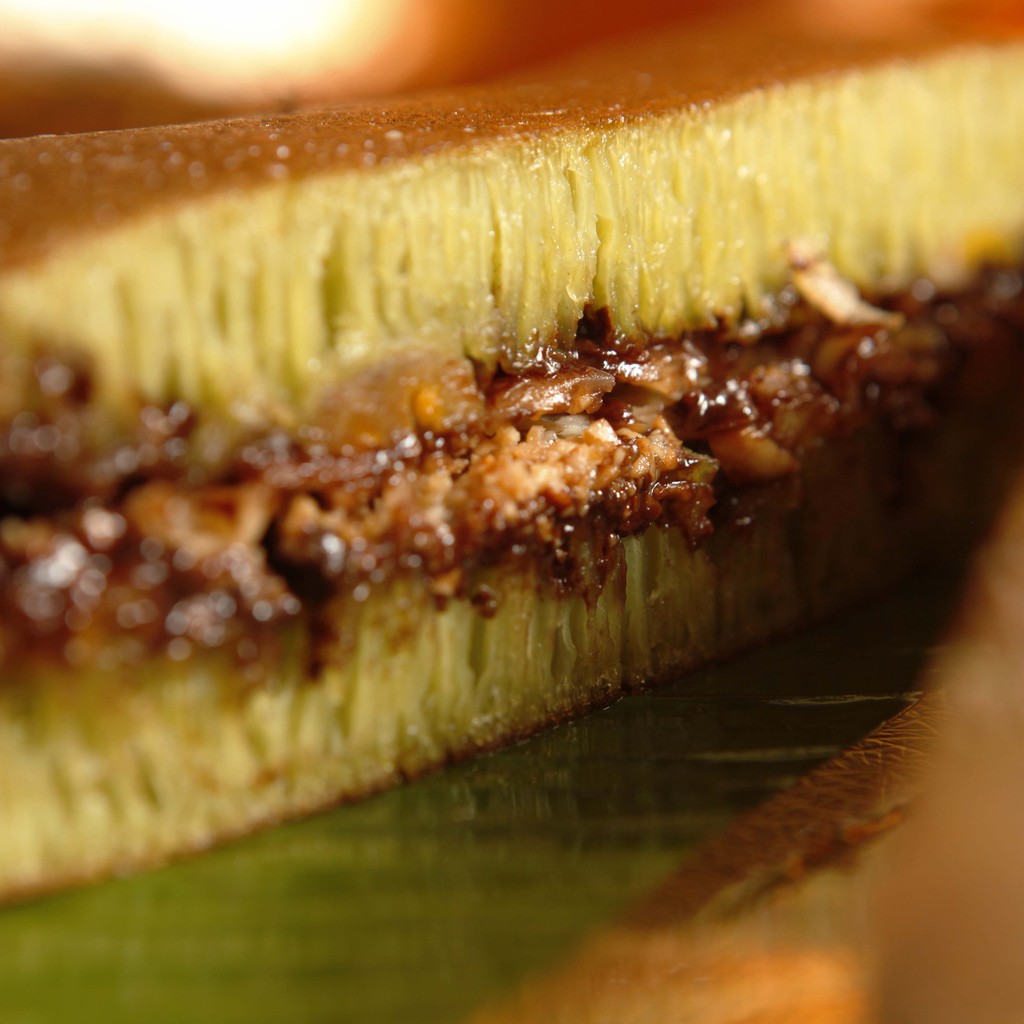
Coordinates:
x,y
90,65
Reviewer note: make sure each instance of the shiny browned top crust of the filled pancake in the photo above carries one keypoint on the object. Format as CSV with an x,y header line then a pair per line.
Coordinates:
x,y
56,187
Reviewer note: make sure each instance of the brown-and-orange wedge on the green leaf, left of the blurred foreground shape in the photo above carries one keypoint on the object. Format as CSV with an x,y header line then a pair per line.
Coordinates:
x,y
747,931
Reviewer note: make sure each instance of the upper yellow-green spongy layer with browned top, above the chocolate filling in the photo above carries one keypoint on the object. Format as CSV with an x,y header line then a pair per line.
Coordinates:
x,y
293,259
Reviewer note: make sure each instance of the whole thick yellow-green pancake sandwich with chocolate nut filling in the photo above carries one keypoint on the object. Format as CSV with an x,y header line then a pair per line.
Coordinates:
x,y
335,446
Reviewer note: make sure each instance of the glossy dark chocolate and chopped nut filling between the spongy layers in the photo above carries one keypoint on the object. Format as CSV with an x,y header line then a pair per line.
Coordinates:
x,y
180,535
